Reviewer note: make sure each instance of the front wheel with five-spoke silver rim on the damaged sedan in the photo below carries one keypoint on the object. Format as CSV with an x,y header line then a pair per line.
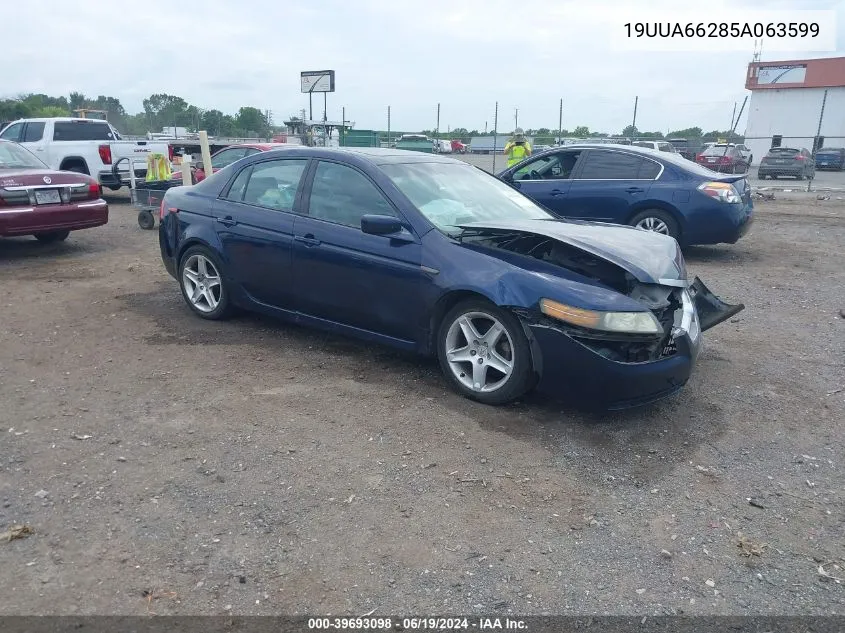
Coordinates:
x,y
484,353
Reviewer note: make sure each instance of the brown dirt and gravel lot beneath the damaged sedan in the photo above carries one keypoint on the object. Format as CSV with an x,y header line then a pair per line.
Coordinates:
x,y
171,465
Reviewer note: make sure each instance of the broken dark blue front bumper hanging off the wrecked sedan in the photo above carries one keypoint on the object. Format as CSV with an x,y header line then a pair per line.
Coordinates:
x,y
618,372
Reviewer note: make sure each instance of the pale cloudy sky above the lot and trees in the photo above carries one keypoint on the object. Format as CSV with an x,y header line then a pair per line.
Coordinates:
x,y
466,55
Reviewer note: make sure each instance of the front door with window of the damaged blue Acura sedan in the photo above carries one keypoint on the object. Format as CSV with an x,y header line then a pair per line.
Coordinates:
x,y
369,282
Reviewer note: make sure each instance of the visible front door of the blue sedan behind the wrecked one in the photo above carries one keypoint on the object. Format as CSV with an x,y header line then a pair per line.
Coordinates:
x,y
547,179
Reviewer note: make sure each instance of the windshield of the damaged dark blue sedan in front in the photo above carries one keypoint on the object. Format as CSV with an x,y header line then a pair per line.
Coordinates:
x,y
450,194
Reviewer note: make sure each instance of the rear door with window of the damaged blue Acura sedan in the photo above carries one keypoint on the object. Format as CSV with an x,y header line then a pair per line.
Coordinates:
x,y
254,222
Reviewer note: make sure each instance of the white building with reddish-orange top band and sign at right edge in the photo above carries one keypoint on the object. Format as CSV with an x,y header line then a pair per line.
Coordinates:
x,y
786,103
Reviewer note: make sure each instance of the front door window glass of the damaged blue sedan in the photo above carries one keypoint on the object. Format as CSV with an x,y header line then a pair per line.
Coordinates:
x,y
344,195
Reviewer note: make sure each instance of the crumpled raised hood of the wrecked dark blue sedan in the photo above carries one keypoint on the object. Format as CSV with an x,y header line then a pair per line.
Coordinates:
x,y
650,257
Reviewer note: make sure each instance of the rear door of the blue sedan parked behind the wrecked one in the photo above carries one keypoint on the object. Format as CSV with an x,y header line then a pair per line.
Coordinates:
x,y
608,182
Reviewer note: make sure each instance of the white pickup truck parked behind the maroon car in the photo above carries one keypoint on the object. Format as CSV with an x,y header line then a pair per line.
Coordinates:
x,y
89,146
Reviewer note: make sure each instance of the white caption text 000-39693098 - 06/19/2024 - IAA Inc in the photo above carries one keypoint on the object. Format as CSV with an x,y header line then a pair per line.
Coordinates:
x,y
417,624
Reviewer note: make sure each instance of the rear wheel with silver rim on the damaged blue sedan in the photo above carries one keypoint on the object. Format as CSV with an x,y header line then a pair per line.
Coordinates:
x,y
203,285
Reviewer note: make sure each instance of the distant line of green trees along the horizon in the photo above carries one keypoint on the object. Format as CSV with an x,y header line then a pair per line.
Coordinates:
x,y
163,110
